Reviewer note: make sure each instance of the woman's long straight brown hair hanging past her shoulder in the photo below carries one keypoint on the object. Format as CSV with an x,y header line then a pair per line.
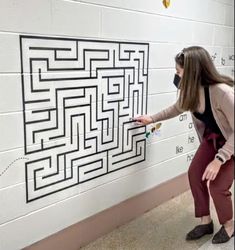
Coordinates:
x,y
199,70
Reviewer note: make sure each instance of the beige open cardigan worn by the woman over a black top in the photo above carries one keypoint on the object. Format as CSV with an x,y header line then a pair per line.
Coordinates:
x,y
222,104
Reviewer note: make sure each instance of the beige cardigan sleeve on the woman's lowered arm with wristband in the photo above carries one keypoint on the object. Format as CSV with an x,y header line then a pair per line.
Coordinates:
x,y
227,107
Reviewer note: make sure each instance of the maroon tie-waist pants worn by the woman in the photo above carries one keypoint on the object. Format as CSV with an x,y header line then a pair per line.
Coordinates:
x,y
219,188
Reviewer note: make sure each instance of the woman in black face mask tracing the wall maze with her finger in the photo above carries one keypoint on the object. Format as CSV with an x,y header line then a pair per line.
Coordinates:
x,y
209,96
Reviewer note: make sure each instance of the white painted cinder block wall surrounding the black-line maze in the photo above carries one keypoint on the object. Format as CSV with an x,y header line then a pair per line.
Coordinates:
x,y
208,23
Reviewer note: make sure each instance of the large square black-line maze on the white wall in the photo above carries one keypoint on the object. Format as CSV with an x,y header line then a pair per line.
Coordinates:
x,y
78,98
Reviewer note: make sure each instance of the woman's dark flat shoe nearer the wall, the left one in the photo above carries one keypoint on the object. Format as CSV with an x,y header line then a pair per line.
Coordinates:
x,y
200,231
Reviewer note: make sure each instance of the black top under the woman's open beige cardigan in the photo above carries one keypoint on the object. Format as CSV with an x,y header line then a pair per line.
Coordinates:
x,y
207,117
